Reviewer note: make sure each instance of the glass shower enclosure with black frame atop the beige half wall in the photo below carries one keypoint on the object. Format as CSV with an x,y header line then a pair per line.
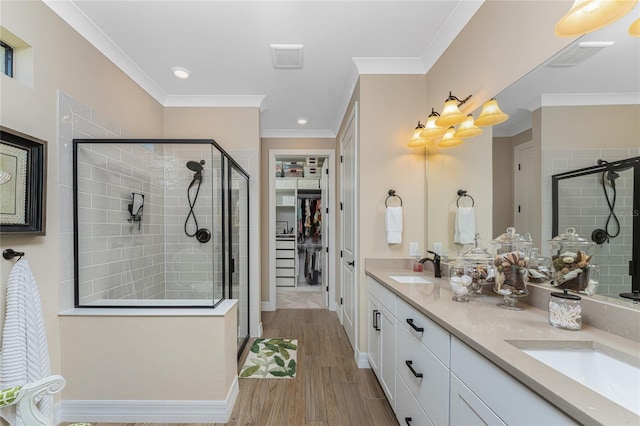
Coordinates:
x,y
160,224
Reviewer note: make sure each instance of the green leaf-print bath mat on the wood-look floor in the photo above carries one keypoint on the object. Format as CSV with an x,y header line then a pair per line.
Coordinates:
x,y
271,358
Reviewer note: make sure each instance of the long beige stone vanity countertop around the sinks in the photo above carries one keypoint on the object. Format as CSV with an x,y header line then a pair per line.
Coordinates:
x,y
487,329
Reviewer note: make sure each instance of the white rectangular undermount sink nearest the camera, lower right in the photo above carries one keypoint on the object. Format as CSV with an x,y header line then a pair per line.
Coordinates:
x,y
612,374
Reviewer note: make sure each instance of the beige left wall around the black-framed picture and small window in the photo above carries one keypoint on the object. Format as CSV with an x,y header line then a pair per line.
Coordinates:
x,y
62,61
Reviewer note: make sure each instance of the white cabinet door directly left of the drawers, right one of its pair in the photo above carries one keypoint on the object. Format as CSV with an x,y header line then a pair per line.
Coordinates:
x,y
387,367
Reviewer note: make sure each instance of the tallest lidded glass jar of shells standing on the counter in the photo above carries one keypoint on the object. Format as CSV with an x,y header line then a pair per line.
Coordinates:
x,y
511,259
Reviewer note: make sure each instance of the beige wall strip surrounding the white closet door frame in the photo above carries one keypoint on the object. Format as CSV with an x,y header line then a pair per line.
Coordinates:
x,y
288,144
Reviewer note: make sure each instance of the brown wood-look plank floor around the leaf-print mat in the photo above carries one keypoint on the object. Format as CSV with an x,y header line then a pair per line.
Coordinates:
x,y
329,388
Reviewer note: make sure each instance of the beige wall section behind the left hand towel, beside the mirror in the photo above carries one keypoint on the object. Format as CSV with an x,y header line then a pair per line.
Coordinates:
x,y
390,107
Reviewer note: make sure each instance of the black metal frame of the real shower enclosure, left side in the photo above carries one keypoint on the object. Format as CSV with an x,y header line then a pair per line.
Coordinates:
x,y
227,282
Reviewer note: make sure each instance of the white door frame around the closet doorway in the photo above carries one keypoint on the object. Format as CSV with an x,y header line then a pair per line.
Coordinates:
x,y
330,154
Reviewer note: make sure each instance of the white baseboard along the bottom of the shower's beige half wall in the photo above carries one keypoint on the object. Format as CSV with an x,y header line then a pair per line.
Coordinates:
x,y
150,411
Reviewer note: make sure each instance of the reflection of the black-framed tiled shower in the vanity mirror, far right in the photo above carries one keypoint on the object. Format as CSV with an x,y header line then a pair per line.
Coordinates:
x,y
601,202
